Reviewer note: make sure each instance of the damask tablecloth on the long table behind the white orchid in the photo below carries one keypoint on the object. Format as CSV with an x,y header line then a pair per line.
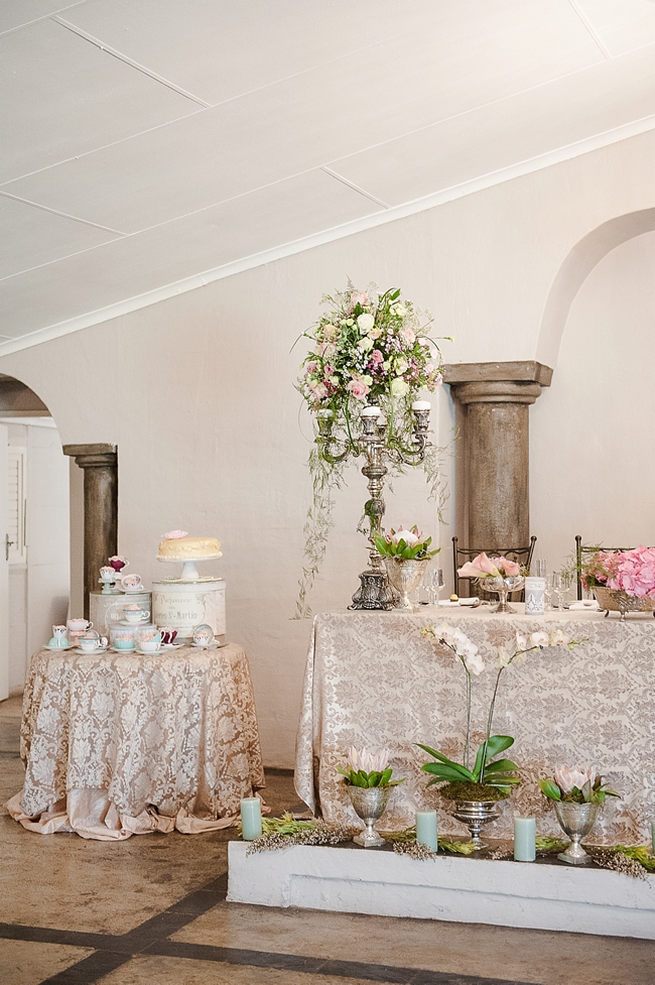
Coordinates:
x,y
372,679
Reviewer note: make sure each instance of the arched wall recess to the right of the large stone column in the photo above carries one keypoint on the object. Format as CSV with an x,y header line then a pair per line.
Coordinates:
x,y
590,432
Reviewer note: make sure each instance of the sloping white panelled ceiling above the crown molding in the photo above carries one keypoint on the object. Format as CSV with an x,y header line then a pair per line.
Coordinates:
x,y
152,145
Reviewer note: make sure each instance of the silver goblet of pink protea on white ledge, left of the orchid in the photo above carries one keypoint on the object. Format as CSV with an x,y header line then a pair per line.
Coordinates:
x,y
367,777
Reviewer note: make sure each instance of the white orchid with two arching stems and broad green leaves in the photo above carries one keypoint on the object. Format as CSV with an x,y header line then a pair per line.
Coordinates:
x,y
493,777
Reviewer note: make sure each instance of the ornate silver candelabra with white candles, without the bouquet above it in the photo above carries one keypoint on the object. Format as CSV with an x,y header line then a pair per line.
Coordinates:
x,y
373,443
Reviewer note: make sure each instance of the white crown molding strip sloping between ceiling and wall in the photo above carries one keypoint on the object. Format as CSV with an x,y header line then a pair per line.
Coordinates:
x,y
392,214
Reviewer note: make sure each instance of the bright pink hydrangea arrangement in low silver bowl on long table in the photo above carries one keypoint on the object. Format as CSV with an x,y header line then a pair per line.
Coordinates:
x,y
621,580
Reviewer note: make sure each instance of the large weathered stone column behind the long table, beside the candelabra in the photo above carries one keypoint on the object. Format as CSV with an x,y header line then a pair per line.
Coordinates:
x,y
492,478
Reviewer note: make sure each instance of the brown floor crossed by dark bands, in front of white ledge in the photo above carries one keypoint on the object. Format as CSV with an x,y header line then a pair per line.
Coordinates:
x,y
152,910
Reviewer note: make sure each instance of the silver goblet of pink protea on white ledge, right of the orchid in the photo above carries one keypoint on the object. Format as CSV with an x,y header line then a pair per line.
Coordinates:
x,y
577,795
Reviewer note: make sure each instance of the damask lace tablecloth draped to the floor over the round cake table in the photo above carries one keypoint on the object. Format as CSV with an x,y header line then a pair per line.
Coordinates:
x,y
120,744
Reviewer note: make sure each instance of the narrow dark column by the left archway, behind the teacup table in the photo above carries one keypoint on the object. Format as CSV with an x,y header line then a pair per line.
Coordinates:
x,y
100,464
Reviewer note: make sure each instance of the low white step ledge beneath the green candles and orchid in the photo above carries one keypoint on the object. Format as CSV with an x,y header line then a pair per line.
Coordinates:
x,y
510,894
